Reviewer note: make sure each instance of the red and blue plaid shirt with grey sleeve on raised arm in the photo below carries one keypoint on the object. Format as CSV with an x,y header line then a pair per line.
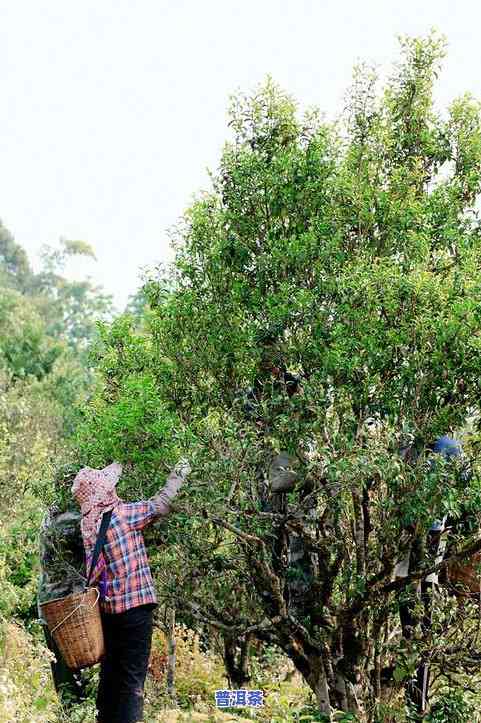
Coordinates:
x,y
124,567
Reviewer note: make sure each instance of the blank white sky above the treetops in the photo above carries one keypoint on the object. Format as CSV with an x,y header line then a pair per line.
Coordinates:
x,y
112,111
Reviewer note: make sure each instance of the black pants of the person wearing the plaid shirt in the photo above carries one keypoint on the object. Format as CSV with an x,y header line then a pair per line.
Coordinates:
x,y
128,638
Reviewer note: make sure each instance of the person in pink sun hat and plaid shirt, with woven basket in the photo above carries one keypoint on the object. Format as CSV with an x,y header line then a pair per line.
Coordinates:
x,y
111,620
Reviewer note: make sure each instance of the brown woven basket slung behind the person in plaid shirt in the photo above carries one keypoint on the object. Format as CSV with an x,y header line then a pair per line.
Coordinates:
x,y
76,626
